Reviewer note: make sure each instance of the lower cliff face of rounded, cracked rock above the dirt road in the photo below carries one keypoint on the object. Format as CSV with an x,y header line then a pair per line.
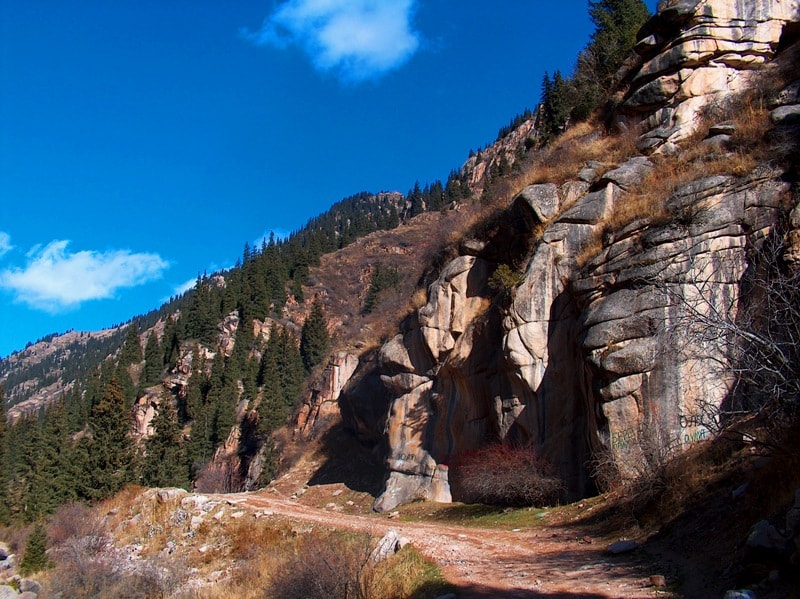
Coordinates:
x,y
578,357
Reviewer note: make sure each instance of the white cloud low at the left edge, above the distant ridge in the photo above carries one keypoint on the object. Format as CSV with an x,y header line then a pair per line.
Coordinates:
x,y
54,279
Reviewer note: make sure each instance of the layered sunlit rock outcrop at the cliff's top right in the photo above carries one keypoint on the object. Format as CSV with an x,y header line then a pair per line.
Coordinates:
x,y
695,53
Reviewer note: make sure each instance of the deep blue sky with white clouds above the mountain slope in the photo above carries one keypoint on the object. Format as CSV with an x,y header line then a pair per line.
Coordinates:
x,y
142,142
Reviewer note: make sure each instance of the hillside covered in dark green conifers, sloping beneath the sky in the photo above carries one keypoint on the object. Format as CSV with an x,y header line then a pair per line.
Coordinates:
x,y
216,371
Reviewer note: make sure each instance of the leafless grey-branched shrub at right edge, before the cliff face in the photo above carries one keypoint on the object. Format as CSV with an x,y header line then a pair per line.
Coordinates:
x,y
751,339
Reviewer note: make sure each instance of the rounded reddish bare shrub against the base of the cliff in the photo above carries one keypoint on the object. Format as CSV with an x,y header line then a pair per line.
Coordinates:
x,y
501,474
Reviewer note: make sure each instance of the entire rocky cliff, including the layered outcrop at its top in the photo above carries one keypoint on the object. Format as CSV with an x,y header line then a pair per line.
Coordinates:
x,y
584,349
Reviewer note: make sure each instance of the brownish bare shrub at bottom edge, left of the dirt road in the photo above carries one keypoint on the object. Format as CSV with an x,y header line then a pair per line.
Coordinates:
x,y
332,565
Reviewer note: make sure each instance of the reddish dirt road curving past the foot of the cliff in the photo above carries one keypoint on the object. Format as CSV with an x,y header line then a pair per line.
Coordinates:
x,y
547,561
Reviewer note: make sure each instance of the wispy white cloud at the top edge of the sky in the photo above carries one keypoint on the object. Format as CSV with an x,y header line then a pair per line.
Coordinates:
x,y
357,39
